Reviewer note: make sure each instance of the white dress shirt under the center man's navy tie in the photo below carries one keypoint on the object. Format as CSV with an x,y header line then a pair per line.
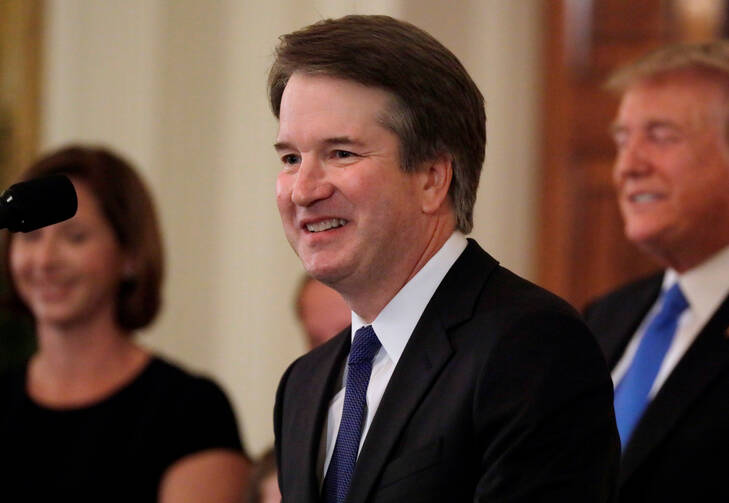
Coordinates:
x,y
393,327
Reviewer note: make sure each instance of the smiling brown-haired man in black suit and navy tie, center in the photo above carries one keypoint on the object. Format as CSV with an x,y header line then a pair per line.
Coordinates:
x,y
457,381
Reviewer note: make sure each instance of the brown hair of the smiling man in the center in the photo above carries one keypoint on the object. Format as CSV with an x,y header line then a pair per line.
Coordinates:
x,y
437,108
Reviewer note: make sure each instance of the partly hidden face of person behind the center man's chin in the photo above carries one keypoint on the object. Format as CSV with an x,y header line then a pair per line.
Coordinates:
x,y
322,312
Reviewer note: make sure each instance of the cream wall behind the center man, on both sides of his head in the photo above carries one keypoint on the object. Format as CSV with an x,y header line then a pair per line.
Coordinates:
x,y
178,86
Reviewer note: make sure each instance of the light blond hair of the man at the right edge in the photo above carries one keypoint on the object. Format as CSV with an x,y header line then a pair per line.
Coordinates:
x,y
711,58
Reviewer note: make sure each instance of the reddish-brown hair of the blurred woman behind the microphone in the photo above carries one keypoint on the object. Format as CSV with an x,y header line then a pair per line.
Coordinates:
x,y
127,205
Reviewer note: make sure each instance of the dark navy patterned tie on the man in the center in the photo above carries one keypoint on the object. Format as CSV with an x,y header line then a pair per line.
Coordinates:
x,y
359,368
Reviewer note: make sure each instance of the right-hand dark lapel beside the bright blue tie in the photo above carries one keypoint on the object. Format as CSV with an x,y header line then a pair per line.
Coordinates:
x,y
707,357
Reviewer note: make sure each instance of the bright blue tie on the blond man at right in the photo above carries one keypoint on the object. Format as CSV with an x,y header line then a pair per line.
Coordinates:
x,y
631,395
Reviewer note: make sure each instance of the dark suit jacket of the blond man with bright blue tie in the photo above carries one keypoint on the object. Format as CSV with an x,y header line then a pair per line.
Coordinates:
x,y
680,449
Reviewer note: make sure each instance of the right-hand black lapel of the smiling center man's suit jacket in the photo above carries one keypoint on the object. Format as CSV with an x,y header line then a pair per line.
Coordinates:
x,y
426,353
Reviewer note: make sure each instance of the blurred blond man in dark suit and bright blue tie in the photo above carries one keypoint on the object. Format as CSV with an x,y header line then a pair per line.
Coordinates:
x,y
667,337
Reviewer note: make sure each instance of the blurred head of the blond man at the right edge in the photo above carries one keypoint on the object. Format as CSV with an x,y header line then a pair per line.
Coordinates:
x,y
672,139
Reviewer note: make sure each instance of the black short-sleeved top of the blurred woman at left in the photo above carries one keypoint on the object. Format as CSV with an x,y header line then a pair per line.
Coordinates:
x,y
116,449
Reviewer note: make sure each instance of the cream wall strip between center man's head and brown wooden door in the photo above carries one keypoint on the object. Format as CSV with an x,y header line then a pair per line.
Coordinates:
x,y
499,43
